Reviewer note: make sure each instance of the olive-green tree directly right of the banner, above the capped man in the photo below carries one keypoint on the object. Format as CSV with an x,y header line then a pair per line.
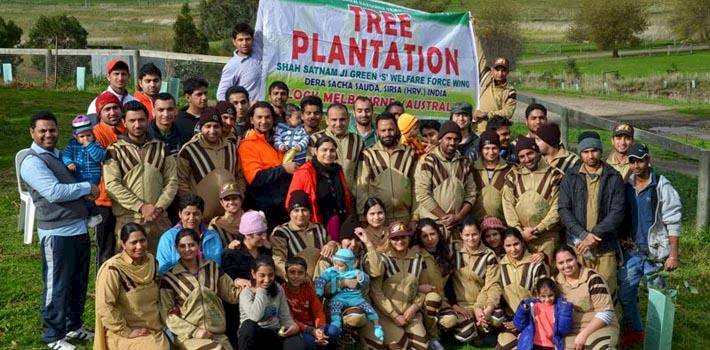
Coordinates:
x,y
497,28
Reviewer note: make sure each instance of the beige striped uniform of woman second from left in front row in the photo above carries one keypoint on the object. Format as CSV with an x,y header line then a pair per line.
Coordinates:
x,y
190,303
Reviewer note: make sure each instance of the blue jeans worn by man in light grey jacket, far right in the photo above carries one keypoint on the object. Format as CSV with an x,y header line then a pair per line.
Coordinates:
x,y
636,265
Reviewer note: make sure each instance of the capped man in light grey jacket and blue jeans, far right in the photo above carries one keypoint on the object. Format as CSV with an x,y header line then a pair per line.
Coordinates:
x,y
652,241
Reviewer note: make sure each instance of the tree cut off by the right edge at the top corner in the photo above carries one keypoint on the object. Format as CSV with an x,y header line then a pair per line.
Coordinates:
x,y
690,19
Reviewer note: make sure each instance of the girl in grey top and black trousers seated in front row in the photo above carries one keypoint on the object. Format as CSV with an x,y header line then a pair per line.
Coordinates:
x,y
266,321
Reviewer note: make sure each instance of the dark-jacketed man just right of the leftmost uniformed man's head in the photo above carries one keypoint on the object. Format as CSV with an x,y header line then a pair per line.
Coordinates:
x,y
163,127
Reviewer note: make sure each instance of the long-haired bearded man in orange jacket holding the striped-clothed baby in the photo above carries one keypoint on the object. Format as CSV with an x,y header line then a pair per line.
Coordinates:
x,y
266,175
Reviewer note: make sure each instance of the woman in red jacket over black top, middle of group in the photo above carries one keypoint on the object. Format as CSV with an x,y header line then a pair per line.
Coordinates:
x,y
324,181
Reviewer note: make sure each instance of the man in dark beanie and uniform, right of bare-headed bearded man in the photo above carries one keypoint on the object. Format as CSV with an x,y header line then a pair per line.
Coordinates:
x,y
444,187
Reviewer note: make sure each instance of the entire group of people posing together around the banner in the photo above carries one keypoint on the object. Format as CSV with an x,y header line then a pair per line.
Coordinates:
x,y
249,224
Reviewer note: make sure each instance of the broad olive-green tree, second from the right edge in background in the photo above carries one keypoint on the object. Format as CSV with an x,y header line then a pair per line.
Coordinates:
x,y
610,24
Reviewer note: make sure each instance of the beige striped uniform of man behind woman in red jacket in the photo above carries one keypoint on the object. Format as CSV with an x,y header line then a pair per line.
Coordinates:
x,y
349,149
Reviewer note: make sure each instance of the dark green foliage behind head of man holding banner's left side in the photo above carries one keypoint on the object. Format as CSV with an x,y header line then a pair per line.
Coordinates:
x,y
219,16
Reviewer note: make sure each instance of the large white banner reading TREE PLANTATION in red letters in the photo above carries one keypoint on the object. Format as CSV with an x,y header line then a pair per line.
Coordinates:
x,y
341,49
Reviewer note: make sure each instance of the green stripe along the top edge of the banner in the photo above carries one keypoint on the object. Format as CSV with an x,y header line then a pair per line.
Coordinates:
x,y
444,18
